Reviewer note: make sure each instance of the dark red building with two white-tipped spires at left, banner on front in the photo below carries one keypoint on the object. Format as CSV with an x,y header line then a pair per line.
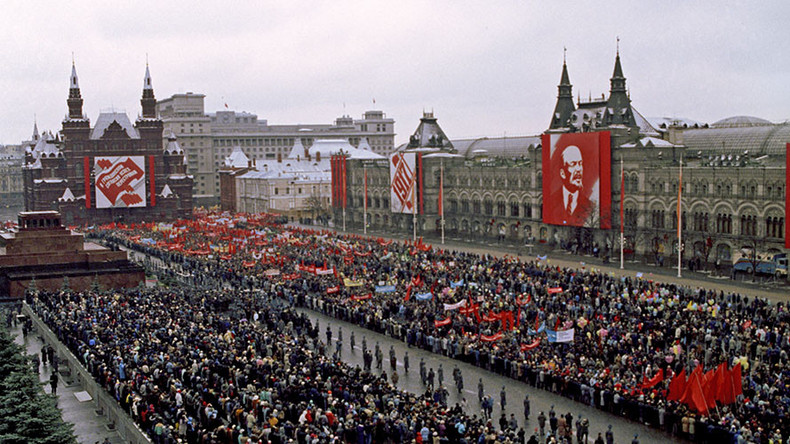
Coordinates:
x,y
115,171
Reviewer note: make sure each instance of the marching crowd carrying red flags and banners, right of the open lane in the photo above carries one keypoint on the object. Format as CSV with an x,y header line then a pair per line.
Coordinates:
x,y
625,329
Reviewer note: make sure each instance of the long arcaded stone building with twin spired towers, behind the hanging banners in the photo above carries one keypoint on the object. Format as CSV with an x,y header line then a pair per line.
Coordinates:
x,y
733,183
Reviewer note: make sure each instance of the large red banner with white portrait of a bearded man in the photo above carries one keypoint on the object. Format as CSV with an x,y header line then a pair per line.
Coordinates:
x,y
577,179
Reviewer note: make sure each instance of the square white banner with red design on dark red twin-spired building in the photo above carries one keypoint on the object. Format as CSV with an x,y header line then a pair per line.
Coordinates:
x,y
120,181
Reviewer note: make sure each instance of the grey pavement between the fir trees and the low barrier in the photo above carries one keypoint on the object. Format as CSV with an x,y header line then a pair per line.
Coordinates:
x,y
89,427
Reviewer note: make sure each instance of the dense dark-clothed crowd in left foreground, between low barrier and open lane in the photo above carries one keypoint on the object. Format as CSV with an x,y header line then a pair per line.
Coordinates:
x,y
190,367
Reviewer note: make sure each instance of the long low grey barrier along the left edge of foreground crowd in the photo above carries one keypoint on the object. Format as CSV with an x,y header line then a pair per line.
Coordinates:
x,y
104,403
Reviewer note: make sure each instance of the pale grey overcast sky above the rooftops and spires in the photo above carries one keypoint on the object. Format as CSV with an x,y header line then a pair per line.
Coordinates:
x,y
486,68
